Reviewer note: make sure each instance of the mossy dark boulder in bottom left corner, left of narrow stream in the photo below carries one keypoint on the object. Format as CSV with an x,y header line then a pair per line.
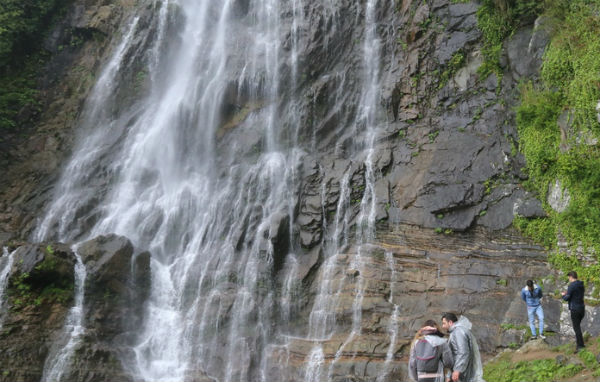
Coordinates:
x,y
38,295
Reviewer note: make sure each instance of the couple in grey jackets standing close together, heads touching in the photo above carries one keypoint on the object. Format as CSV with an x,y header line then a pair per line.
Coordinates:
x,y
431,353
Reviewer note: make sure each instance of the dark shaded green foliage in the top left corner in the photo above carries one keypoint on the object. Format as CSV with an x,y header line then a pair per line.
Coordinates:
x,y
22,25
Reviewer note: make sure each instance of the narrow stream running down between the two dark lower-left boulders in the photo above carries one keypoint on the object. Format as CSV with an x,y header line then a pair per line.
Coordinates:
x,y
58,363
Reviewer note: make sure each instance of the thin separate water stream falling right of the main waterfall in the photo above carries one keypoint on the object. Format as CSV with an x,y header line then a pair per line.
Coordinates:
x,y
327,300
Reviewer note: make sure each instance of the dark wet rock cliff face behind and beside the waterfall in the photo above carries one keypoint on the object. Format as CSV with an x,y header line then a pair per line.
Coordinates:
x,y
443,170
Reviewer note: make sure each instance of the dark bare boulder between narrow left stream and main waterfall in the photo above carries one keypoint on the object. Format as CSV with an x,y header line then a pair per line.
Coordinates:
x,y
117,285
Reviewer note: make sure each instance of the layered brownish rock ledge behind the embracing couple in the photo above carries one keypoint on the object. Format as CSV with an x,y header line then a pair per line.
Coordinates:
x,y
478,274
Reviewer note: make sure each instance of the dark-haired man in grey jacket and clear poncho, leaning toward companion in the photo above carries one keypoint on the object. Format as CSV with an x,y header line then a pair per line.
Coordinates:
x,y
467,360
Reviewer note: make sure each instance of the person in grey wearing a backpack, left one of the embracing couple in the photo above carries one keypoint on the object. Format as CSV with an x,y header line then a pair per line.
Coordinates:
x,y
429,354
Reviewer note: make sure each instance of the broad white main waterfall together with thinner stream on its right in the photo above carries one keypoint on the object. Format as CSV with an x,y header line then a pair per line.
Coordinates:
x,y
217,218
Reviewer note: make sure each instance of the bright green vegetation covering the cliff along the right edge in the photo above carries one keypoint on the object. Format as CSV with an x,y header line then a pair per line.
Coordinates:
x,y
569,89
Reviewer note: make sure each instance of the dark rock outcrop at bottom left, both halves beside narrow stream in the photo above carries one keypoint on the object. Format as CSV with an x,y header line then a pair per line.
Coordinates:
x,y
41,292
